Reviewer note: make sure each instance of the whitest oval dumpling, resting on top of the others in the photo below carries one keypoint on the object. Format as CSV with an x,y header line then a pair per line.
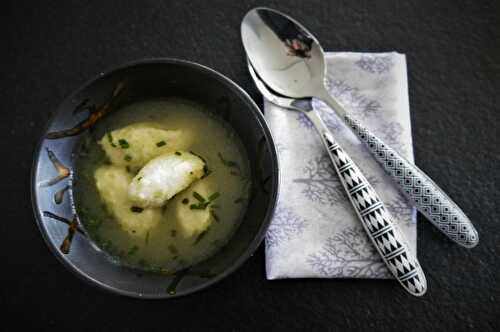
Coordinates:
x,y
163,177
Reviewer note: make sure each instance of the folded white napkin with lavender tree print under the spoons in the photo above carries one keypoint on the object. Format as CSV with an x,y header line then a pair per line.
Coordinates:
x,y
315,232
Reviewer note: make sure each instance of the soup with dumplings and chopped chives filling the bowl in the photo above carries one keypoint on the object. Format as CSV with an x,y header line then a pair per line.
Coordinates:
x,y
161,185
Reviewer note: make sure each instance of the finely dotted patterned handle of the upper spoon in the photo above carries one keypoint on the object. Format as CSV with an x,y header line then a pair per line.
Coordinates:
x,y
427,197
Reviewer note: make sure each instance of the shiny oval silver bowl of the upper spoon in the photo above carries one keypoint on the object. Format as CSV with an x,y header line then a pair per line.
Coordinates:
x,y
287,57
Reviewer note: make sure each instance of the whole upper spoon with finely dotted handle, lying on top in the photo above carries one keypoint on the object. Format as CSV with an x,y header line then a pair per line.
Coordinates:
x,y
291,62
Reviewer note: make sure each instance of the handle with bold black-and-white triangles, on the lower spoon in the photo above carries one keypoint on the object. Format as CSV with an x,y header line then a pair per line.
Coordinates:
x,y
376,220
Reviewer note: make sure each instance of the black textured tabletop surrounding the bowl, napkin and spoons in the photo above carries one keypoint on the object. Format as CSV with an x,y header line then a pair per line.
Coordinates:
x,y
452,48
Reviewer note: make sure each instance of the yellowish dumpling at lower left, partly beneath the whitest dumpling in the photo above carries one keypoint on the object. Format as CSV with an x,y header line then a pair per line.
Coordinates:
x,y
112,184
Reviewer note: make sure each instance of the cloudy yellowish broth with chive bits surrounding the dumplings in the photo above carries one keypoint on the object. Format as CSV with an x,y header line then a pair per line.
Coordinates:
x,y
164,250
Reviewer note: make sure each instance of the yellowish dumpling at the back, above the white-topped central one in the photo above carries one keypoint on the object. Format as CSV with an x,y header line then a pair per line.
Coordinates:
x,y
136,144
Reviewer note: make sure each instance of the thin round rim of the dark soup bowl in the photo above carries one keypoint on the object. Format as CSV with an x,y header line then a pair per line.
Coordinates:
x,y
259,236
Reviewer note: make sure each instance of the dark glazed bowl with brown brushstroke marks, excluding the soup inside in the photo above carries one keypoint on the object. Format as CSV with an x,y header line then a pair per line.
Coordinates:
x,y
147,79
